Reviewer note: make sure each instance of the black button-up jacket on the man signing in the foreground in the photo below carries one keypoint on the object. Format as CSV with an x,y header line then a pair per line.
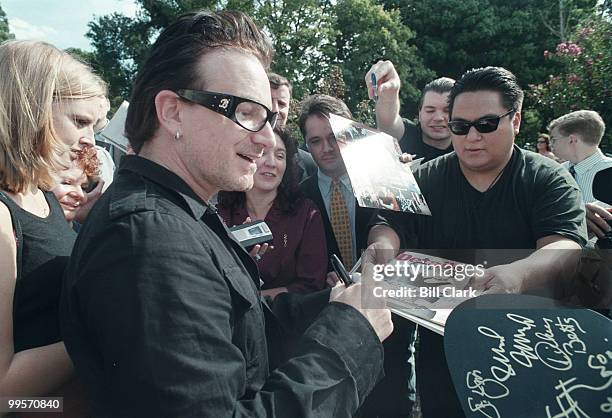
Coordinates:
x,y
161,315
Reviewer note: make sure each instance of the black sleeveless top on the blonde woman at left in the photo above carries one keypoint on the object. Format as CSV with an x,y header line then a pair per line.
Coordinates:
x,y
46,244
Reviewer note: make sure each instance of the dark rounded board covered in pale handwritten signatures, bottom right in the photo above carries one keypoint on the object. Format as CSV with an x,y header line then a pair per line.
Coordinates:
x,y
524,356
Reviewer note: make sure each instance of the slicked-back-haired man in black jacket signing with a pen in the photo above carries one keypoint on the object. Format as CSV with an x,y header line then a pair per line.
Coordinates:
x,y
161,312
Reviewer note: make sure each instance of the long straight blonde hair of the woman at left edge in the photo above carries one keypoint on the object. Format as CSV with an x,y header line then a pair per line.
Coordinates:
x,y
34,75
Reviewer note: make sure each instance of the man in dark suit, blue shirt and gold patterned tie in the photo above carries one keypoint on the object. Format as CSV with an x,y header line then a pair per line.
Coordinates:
x,y
394,395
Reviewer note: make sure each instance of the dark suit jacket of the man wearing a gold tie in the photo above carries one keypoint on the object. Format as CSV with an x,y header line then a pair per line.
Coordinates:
x,y
310,188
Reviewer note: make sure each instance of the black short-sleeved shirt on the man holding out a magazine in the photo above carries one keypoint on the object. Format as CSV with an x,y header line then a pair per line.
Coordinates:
x,y
533,198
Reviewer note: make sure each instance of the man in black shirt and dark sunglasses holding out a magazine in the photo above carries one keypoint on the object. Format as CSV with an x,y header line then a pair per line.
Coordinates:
x,y
487,194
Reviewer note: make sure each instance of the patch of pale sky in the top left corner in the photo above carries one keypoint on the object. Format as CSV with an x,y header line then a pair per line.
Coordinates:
x,y
62,23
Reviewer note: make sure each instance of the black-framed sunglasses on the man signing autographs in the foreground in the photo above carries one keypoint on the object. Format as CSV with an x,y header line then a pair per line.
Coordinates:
x,y
247,113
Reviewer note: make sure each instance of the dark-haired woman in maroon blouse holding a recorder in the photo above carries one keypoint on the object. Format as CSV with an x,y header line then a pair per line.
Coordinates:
x,y
297,261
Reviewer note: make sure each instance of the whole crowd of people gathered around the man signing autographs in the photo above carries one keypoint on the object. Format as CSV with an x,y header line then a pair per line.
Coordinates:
x,y
157,310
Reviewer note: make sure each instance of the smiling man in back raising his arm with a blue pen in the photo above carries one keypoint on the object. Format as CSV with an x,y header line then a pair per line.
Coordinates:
x,y
431,137
